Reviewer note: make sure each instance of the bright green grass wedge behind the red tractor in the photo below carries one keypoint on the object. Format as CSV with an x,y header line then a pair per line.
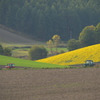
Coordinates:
x,y
27,63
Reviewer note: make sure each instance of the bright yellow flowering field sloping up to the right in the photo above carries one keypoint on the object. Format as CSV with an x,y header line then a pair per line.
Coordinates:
x,y
76,56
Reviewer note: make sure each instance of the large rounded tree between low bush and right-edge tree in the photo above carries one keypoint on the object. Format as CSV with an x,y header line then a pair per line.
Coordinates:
x,y
86,37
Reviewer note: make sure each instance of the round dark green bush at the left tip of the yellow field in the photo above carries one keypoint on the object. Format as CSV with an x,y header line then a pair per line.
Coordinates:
x,y
37,52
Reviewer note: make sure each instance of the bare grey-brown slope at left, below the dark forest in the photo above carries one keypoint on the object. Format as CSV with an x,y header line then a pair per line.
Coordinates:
x,y
9,37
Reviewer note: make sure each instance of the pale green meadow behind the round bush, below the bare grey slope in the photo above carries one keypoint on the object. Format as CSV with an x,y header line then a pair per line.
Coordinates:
x,y
19,50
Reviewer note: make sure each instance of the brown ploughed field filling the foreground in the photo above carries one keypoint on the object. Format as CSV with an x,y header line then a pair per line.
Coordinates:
x,y
50,84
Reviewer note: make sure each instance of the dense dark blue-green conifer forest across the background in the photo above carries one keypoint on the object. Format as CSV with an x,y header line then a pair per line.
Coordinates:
x,y
45,18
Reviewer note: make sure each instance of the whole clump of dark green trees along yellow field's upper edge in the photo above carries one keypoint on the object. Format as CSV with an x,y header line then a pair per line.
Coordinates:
x,y
89,35
